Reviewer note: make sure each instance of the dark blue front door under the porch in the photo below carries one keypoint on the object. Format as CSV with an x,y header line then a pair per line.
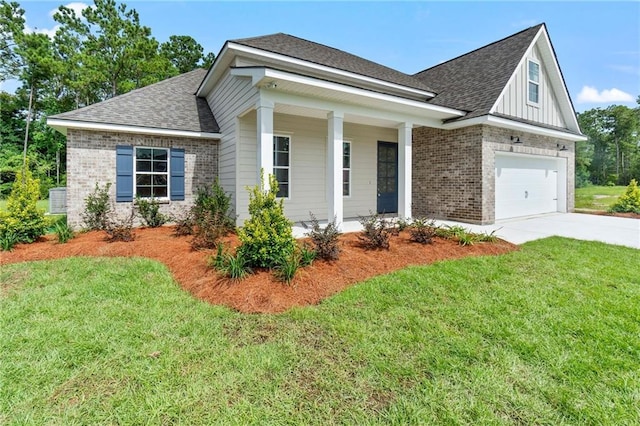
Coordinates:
x,y
387,177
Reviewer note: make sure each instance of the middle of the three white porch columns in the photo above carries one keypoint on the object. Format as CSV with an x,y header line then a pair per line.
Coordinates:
x,y
334,167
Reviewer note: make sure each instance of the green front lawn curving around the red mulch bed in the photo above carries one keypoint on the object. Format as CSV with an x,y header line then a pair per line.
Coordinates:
x,y
547,335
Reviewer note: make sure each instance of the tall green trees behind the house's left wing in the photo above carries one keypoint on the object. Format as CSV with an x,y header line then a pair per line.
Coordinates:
x,y
100,53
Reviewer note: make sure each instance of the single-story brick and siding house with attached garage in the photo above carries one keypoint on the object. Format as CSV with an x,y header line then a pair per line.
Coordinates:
x,y
483,137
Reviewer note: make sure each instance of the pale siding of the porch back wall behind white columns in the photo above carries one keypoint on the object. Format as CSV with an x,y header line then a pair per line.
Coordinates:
x,y
308,172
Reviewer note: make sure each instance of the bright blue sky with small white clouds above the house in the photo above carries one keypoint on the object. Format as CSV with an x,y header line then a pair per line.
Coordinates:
x,y
597,43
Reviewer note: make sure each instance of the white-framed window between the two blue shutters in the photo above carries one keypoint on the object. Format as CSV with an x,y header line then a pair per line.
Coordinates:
x,y
152,172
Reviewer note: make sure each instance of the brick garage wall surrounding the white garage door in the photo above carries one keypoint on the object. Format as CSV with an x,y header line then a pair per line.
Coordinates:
x,y
454,170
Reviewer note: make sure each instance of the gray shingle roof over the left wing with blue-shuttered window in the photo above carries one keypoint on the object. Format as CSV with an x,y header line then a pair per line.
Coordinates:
x,y
170,104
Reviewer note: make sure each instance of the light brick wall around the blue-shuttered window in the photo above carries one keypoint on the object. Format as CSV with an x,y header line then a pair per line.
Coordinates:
x,y
91,158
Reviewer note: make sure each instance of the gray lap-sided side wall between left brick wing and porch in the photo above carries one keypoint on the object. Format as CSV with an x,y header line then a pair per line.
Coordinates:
x,y
230,97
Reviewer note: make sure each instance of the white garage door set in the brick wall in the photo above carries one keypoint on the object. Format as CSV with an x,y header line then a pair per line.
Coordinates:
x,y
525,185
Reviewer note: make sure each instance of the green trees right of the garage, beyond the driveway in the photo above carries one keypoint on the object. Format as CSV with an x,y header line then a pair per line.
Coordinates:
x,y
611,155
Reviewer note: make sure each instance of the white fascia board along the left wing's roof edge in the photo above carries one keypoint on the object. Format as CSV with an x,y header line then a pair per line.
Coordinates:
x,y
63,125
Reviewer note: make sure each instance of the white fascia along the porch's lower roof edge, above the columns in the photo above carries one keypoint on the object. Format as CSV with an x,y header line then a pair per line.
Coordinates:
x,y
259,74
